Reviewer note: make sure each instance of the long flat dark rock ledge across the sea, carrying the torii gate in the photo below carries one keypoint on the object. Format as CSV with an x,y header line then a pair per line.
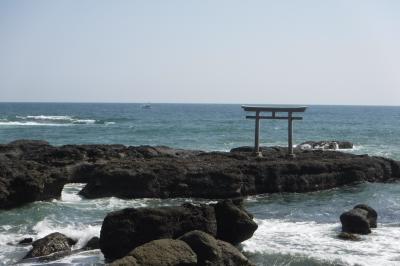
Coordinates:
x,y
35,170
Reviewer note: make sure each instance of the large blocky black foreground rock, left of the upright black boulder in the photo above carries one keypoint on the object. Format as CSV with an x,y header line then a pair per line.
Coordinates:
x,y
124,230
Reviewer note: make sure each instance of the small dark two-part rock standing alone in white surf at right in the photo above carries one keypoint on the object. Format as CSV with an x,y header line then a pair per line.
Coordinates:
x,y
359,220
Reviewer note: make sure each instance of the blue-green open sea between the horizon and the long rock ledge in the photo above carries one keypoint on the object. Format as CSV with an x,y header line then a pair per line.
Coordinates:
x,y
373,129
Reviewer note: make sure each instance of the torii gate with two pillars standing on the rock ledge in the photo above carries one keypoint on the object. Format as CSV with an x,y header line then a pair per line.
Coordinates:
x,y
274,110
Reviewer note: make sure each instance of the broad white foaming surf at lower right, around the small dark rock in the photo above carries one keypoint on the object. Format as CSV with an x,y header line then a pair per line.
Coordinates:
x,y
319,241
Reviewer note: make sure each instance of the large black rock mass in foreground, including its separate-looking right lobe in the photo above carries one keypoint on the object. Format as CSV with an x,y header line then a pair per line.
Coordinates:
x,y
124,230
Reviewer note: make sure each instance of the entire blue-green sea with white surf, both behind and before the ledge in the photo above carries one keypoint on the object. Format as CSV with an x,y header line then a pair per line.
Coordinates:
x,y
294,229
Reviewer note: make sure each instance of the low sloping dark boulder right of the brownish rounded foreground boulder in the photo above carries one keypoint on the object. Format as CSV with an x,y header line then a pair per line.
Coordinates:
x,y
213,252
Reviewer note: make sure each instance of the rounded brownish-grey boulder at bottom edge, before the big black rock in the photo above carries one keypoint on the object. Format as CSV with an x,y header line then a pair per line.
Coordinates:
x,y
162,252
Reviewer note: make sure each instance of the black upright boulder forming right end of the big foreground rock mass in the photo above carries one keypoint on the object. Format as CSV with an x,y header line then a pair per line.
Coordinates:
x,y
235,225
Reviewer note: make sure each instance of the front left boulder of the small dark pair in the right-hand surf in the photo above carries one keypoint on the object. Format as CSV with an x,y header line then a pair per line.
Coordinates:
x,y
355,221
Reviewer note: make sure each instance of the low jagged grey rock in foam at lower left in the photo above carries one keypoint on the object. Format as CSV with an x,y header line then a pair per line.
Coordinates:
x,y
53,243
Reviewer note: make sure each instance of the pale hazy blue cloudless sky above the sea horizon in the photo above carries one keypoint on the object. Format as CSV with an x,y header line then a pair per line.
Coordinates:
x,y
205,51
